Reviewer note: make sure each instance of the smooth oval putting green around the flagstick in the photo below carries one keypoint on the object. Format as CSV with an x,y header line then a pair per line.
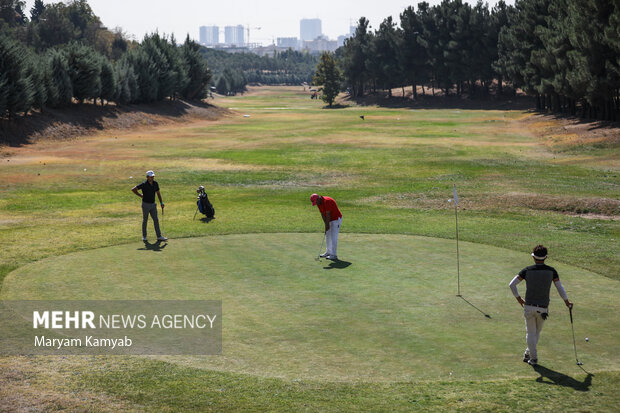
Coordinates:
x,y
388,312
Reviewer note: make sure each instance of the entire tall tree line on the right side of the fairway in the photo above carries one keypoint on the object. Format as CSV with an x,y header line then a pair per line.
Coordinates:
x,y
565,53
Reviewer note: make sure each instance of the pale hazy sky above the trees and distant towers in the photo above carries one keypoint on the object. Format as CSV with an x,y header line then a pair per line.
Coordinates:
x,y
276,18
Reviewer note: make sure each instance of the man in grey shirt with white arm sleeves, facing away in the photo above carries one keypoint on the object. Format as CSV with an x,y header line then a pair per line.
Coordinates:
x,y
538,279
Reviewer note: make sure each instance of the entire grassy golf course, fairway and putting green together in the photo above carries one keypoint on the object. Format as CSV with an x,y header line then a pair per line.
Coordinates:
x,y
380,329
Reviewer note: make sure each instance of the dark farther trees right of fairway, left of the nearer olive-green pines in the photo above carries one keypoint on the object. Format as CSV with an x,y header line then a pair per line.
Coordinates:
x,y
449,46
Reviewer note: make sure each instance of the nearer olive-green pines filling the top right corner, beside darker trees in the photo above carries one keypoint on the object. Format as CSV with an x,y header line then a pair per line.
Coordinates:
x,y
566,53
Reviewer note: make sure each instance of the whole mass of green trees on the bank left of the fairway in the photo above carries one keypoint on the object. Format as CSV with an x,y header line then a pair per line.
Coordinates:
x,y
63,54
